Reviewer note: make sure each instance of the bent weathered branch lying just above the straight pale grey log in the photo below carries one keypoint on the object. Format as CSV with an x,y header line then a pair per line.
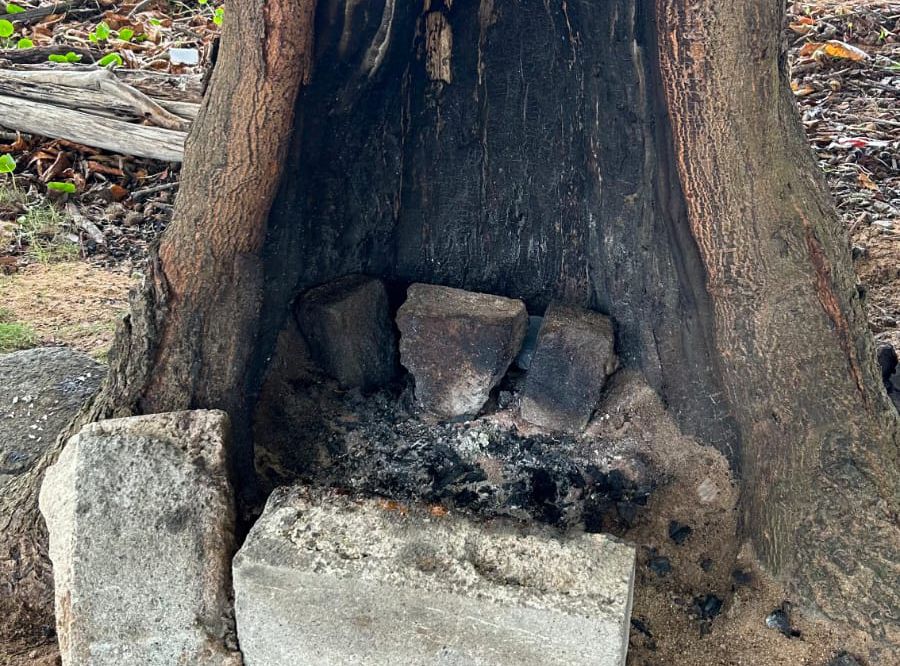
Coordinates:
x,y
105,87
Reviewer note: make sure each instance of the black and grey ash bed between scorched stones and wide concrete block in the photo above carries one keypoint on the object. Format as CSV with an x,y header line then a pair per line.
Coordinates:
x,y
378,446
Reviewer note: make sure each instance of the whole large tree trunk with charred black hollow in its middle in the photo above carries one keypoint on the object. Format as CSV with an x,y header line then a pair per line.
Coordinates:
x,y
640,157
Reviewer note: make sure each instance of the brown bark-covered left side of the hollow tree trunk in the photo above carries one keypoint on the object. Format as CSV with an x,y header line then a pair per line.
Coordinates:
x,y
190,330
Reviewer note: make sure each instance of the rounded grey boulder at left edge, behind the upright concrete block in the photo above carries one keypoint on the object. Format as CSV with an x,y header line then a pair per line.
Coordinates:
x,y
41,390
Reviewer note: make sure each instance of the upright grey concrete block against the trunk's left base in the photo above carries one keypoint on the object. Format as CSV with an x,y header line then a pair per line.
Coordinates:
x,y
141,522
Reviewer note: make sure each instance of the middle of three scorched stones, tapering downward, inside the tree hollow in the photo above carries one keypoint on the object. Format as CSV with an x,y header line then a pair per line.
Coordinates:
x,y
458,345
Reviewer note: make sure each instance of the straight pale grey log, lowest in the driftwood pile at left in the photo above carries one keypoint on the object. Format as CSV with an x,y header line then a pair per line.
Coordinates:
x,y
115,135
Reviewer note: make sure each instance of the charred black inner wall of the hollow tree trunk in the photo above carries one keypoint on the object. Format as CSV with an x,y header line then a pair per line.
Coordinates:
x,y
540,172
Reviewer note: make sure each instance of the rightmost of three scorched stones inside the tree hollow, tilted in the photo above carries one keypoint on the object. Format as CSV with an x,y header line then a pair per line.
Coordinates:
x,y
575,354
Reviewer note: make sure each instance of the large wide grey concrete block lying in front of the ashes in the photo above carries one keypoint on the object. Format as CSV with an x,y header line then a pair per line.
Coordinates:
x,y
325,579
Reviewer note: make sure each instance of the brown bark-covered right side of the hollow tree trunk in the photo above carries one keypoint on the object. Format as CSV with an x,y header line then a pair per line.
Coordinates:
x,y
819,437
